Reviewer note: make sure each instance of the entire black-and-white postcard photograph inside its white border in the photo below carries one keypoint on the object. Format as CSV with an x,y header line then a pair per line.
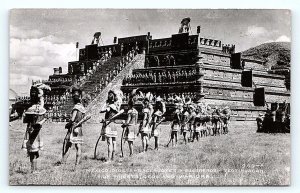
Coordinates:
x,y
150,97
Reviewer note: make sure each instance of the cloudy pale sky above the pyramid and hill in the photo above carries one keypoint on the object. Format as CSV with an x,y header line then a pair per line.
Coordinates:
x,y
41,39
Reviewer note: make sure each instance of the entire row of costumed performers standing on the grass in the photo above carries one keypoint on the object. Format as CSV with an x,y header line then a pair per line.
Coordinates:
x,y
188,117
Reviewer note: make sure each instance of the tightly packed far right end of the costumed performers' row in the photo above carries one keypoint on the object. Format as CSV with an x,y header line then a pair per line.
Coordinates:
x,y
194,117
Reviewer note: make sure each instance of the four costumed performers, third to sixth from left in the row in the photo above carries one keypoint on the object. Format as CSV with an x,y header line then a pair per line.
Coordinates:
x,y
147,128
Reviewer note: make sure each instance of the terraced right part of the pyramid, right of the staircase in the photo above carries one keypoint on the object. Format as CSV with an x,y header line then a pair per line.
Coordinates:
x,y
207,70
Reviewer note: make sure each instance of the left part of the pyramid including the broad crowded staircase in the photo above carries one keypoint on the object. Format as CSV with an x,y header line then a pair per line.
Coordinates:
x,y
98,69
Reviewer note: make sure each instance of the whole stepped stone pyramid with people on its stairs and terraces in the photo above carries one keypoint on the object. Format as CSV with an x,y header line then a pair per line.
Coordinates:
x,y
184,65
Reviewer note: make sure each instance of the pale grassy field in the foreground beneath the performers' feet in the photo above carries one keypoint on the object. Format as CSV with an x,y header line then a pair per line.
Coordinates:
x,y
242,157
